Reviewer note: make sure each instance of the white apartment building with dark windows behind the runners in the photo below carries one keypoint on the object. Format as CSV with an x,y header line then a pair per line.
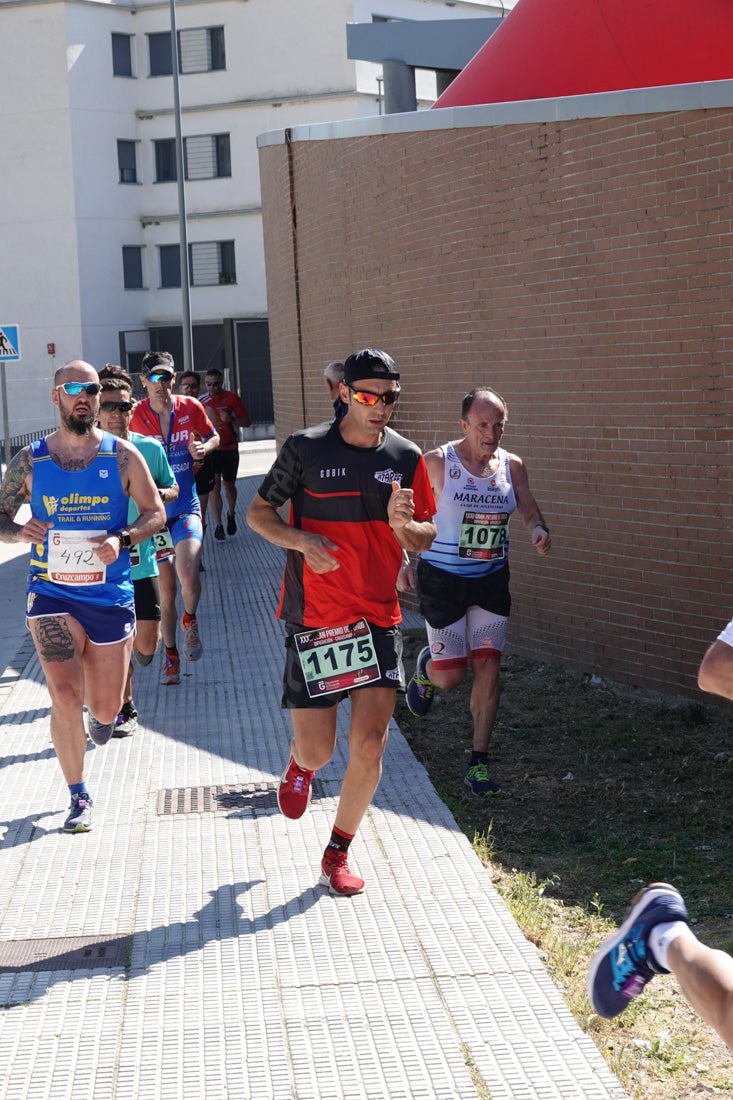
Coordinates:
x,y
89,193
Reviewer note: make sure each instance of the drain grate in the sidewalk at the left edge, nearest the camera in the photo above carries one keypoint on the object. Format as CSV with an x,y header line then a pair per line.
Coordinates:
x,y
64,953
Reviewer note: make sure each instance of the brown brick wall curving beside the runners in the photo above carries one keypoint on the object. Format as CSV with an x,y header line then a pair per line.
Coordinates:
x,y
583,269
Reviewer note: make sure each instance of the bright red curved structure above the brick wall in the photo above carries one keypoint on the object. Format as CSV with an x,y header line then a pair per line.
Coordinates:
x,y
570,48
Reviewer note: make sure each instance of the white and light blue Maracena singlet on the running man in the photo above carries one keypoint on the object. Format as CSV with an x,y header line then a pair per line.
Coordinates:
x,y
473,519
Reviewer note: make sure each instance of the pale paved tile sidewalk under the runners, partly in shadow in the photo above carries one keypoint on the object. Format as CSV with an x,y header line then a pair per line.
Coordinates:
x,y
184,949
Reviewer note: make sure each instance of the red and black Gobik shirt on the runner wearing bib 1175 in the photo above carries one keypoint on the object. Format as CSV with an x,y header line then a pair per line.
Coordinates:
x,y
342,492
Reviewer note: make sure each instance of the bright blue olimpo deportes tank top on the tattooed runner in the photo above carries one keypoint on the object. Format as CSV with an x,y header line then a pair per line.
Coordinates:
x,y
75,501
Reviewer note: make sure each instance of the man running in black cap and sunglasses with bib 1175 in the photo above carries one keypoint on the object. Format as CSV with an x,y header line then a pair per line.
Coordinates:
x,y
359,494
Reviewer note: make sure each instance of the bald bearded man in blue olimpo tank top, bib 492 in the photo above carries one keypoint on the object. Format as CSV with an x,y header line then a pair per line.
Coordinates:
x,y
79,481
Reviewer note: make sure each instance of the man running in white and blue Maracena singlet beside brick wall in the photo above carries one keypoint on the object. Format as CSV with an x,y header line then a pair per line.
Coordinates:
x,y
464,577
